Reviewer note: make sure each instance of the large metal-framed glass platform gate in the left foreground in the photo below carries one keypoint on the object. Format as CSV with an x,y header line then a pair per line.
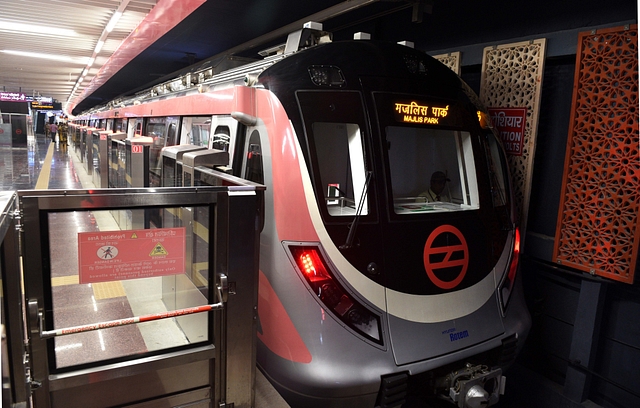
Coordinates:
x,y
103,326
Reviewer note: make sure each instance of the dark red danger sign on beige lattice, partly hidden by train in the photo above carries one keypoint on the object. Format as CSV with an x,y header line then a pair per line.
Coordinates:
x,y
510,124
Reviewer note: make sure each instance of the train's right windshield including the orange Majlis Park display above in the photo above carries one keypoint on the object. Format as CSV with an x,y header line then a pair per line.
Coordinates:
x,y
429,154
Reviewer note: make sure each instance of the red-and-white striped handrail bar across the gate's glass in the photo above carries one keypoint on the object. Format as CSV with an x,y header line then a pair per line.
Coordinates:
x,y
220,290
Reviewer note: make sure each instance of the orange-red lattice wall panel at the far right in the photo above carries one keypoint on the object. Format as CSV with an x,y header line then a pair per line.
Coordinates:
x,y
598,229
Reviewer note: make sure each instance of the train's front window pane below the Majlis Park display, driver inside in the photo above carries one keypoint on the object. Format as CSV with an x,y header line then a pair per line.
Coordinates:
x,y
431,170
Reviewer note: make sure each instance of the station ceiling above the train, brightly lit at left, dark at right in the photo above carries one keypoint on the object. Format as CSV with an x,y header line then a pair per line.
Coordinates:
x,y
155,38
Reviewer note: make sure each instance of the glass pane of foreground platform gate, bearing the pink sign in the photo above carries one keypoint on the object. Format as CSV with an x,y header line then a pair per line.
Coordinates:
x,y
116,268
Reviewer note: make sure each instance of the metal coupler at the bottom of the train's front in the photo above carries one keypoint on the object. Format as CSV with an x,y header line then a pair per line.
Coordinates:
x,y
474,386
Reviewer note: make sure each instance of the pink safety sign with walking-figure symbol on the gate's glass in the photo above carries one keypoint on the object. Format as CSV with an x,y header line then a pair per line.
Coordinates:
x,y
132,254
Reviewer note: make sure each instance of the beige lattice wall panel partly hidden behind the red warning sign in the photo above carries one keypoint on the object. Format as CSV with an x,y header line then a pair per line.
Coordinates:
x,y
512,78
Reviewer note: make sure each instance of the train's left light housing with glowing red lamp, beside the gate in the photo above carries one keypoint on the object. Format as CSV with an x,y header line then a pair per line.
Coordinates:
x,y
336,299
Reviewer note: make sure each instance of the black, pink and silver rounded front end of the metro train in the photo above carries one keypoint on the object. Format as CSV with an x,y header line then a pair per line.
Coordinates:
x,y
403,288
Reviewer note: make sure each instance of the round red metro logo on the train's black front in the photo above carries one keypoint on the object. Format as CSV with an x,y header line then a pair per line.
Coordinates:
x,y
446,254
